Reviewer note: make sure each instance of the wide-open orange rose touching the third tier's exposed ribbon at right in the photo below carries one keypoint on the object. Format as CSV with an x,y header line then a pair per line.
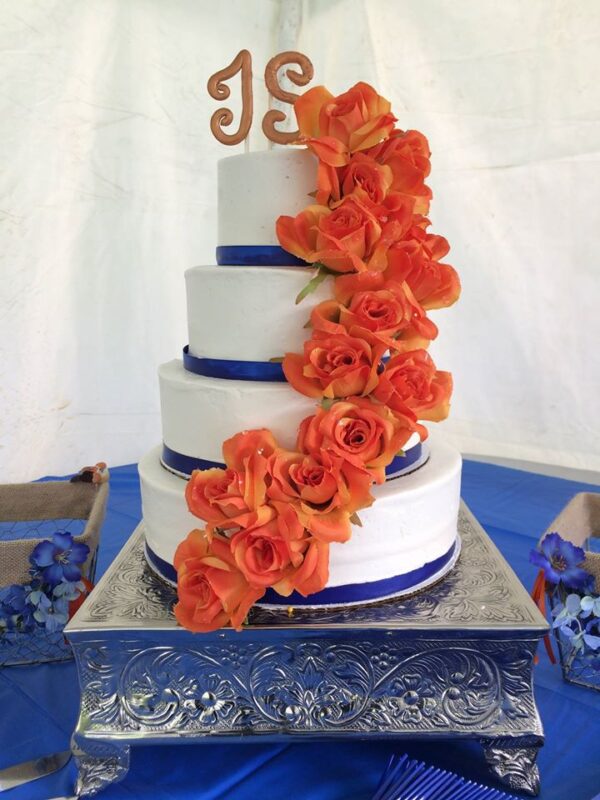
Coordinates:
x,y
359,430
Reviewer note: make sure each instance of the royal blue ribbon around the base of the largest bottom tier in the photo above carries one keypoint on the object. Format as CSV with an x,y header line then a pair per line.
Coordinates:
x,y
334,595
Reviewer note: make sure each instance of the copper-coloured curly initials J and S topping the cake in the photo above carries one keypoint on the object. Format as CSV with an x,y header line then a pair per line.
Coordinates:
x,y
242,63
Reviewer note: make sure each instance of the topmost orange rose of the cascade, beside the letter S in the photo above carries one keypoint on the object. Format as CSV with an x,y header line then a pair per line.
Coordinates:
x,y
356,119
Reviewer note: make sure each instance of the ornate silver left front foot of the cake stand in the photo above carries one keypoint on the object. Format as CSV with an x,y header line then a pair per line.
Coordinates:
x,y
98,764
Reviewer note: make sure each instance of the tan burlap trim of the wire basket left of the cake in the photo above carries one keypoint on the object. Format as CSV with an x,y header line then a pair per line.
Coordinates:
x,y
46,501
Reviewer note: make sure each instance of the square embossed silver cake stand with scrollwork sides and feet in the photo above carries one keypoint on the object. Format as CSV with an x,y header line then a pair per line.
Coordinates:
x,y
453,661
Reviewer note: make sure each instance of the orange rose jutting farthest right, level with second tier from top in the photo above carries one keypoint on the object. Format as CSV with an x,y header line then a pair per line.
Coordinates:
x,y
416,260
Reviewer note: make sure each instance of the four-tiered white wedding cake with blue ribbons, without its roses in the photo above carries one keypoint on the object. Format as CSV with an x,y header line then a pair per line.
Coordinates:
x,y
241,316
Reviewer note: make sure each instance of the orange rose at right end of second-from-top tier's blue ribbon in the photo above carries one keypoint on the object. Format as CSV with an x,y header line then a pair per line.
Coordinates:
x,y
334,366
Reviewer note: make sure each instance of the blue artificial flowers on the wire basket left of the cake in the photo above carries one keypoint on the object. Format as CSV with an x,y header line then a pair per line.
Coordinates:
x,y
56,581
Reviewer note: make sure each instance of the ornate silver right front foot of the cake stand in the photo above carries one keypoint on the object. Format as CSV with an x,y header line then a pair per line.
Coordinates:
x,y
513,762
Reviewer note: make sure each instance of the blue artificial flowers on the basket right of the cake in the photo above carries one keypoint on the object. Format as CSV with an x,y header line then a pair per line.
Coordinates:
x,y
575,607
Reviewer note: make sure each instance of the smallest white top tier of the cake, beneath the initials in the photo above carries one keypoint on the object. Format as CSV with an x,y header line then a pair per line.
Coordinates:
x,y
255,189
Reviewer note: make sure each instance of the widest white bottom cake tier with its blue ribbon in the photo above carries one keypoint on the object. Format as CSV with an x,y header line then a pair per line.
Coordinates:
x,y
408,538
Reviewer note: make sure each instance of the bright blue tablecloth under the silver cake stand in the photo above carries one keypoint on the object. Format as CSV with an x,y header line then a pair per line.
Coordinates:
x,y
39,704
